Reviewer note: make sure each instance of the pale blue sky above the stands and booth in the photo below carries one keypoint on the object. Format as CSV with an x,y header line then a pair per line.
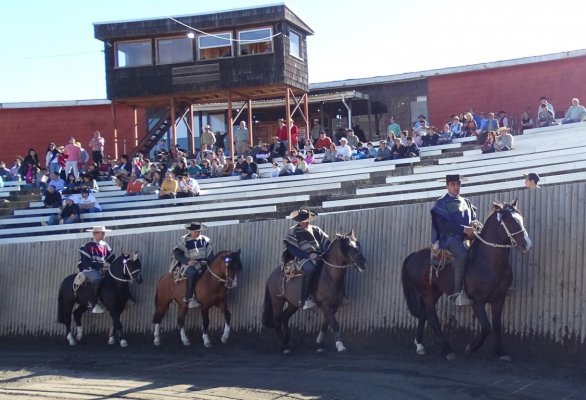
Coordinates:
x,y
49,52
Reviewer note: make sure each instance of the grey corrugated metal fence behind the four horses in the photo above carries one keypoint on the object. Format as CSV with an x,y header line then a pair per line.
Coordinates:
x,y
549,303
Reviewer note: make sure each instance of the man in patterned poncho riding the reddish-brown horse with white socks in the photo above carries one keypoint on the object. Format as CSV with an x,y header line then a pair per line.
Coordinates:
x,y
192,252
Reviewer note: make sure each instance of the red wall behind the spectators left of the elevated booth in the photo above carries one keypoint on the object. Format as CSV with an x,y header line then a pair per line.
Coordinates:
x,y
32,127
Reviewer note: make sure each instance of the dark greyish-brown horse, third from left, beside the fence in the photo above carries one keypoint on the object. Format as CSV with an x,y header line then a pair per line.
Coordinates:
x,y
328,290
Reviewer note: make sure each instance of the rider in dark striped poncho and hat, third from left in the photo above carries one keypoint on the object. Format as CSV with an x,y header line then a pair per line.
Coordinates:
x,y
305,243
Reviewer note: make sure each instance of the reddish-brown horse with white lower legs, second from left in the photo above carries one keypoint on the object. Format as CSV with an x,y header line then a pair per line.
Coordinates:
x,y
211,290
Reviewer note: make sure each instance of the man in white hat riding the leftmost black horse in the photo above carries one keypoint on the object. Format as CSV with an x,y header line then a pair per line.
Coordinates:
x,y
95,257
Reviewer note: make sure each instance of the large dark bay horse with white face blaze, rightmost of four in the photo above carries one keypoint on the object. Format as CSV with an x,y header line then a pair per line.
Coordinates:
x,y
487,278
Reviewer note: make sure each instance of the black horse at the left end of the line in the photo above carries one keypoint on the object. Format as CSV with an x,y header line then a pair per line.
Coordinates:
x,y
114,293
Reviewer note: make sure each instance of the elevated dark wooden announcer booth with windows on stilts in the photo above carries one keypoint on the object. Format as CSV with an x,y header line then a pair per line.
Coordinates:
x,y
168,65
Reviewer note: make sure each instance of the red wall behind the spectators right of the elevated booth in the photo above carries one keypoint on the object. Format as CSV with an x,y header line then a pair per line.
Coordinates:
x,y
512,89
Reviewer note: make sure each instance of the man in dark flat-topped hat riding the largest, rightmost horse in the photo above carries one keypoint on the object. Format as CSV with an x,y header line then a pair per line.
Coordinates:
x,y
452,216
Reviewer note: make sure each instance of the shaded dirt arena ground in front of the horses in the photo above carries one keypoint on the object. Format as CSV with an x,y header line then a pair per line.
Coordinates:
x,y
93,370
